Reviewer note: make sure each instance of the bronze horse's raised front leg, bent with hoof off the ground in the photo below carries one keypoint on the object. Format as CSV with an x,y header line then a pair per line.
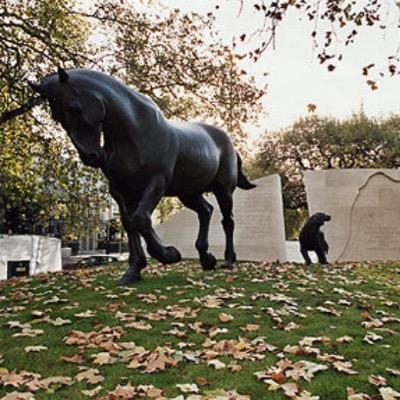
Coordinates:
x,y
141,222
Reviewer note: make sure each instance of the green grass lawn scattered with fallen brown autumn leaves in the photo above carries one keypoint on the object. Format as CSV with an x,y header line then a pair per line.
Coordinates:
x,y
262,331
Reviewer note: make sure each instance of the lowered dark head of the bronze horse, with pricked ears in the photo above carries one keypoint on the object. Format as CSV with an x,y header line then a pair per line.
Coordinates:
x,y
80,111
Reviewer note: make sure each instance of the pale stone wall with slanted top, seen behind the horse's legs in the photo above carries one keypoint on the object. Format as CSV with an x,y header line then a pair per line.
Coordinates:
x,y
259,225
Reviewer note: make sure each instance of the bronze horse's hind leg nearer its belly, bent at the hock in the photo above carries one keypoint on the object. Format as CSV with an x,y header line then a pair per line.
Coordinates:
x,y
204,210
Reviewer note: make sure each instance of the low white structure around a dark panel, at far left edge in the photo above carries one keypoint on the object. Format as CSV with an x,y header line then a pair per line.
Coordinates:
x,y
43,253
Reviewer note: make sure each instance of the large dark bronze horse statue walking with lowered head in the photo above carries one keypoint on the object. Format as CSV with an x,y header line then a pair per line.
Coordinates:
x,y
145,157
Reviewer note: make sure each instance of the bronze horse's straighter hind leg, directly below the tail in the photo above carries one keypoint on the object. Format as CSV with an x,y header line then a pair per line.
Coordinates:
x,y
225,202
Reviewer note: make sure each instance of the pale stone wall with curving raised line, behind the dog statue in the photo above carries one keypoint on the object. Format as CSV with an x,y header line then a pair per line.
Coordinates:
x,y
365,209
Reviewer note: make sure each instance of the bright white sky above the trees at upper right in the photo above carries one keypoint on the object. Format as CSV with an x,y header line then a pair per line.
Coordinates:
x,y
295,78
